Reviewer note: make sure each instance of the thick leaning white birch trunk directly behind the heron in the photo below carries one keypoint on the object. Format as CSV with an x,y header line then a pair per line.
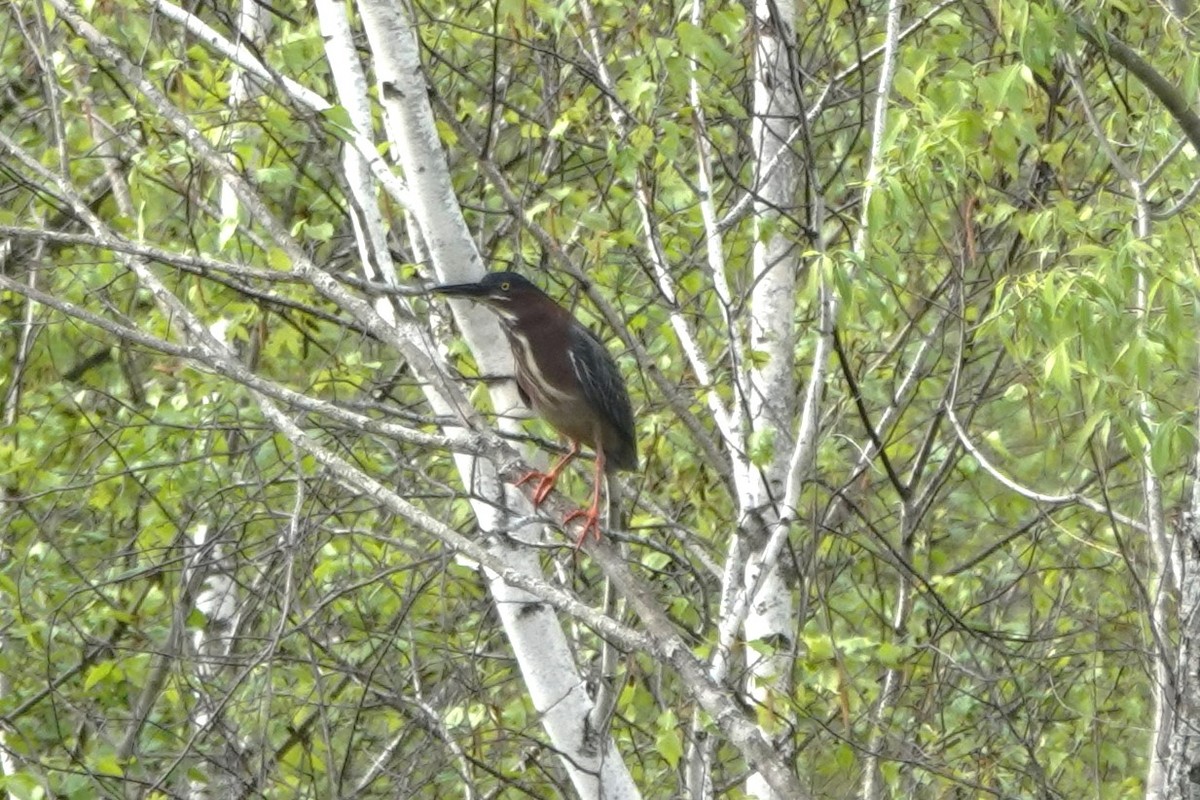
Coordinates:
x,y
556,687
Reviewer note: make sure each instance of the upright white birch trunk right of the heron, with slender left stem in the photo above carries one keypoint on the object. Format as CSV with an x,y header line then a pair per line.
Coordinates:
x,y
755,600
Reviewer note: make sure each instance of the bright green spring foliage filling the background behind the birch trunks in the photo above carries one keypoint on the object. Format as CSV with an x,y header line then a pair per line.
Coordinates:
x,y
1005,280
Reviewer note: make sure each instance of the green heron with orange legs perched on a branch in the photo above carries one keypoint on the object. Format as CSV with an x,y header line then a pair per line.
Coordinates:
x,y
567,377
